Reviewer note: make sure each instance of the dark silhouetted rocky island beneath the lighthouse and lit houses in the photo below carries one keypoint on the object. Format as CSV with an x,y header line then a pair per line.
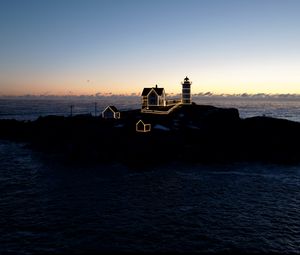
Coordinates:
x,y
190,133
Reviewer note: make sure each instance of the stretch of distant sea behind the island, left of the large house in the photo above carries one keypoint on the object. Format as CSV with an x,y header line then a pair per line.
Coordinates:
x,y
32,108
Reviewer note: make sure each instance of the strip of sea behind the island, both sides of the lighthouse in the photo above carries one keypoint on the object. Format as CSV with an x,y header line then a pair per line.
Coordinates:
x,y
32,108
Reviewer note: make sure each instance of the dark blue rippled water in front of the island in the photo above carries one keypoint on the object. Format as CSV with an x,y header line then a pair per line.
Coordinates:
x,y
50,207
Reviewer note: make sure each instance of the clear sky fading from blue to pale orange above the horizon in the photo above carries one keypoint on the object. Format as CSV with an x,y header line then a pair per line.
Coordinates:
x,y
120,46
